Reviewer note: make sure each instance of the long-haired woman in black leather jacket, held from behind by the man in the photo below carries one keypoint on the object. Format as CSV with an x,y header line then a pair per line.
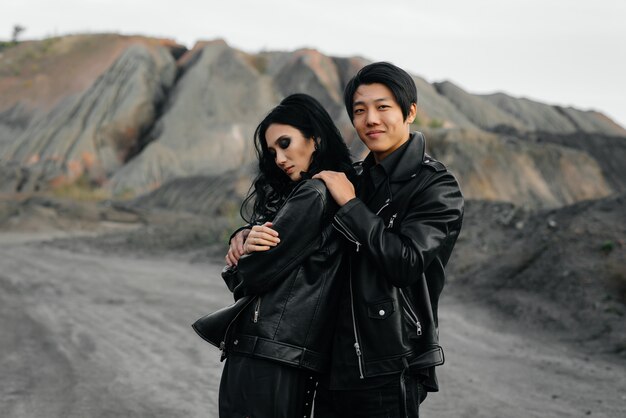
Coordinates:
x,y
282,337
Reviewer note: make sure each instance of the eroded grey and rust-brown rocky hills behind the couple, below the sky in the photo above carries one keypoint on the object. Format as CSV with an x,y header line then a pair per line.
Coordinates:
x,y
131,114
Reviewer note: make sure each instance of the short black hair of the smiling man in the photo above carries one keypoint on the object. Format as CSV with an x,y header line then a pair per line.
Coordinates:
x,y
394,78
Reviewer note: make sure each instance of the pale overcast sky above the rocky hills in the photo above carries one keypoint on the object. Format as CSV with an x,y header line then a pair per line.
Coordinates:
x,y
564,52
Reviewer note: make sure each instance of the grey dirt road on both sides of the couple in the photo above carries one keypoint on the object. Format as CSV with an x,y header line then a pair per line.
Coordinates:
x,y
92,335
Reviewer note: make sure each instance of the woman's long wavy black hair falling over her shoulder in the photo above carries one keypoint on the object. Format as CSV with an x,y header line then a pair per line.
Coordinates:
x,y
272,186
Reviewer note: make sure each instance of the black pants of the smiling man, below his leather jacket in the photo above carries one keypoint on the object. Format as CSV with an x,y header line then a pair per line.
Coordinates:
x,y
382,402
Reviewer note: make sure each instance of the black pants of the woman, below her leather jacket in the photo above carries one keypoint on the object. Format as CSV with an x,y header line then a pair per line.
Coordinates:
x,y
256,388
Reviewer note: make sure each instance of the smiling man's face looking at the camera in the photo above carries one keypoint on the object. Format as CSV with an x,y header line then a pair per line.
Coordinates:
x,y
378,120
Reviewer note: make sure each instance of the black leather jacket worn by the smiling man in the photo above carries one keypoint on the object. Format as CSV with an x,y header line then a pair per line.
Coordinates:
x,y
402,238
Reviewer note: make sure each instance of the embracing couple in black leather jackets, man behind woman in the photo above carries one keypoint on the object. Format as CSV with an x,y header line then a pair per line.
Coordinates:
x,y
338,273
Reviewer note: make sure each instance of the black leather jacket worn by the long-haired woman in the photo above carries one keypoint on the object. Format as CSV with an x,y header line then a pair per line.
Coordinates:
x,y
295,285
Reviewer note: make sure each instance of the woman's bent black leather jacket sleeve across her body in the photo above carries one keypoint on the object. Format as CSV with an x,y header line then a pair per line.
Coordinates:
x,y
299,224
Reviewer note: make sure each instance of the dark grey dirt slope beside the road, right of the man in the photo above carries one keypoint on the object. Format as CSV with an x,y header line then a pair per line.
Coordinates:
x,y
553,270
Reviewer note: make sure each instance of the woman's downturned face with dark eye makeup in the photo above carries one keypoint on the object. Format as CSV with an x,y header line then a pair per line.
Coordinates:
x,y
291,150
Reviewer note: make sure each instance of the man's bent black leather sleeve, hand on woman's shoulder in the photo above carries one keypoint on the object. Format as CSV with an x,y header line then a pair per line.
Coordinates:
x,y
431,224
